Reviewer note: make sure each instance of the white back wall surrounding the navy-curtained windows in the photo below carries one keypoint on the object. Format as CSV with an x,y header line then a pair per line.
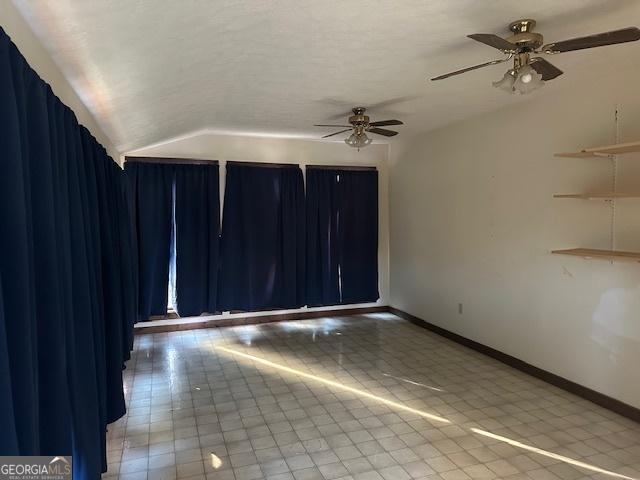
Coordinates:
x,y
300,151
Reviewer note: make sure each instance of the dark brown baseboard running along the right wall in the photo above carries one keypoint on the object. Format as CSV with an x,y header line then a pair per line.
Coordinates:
x,y
598,398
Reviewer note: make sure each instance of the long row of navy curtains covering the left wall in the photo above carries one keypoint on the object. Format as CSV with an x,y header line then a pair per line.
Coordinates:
x,y
66,311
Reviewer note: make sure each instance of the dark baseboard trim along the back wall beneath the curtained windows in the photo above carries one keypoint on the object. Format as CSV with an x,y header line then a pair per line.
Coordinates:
x,y
141,329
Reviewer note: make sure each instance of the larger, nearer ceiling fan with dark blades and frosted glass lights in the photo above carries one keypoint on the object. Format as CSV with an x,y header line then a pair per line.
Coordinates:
x,y
529,73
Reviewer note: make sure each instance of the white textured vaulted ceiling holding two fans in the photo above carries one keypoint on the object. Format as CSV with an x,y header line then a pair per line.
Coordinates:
x,y
152,70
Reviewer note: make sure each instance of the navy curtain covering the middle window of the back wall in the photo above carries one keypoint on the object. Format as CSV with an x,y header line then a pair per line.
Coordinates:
x,y
262,254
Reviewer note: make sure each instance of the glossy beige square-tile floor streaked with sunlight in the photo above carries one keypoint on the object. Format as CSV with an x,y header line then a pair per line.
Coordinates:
x,y
367,397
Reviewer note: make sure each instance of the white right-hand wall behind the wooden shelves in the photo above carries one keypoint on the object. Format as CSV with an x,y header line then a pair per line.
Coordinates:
x,y
473,221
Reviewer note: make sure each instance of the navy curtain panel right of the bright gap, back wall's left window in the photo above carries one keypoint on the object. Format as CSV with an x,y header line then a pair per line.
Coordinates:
x,y
197,224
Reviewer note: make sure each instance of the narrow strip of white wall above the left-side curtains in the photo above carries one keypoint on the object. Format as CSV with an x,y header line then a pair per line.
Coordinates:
x,y
31,48
